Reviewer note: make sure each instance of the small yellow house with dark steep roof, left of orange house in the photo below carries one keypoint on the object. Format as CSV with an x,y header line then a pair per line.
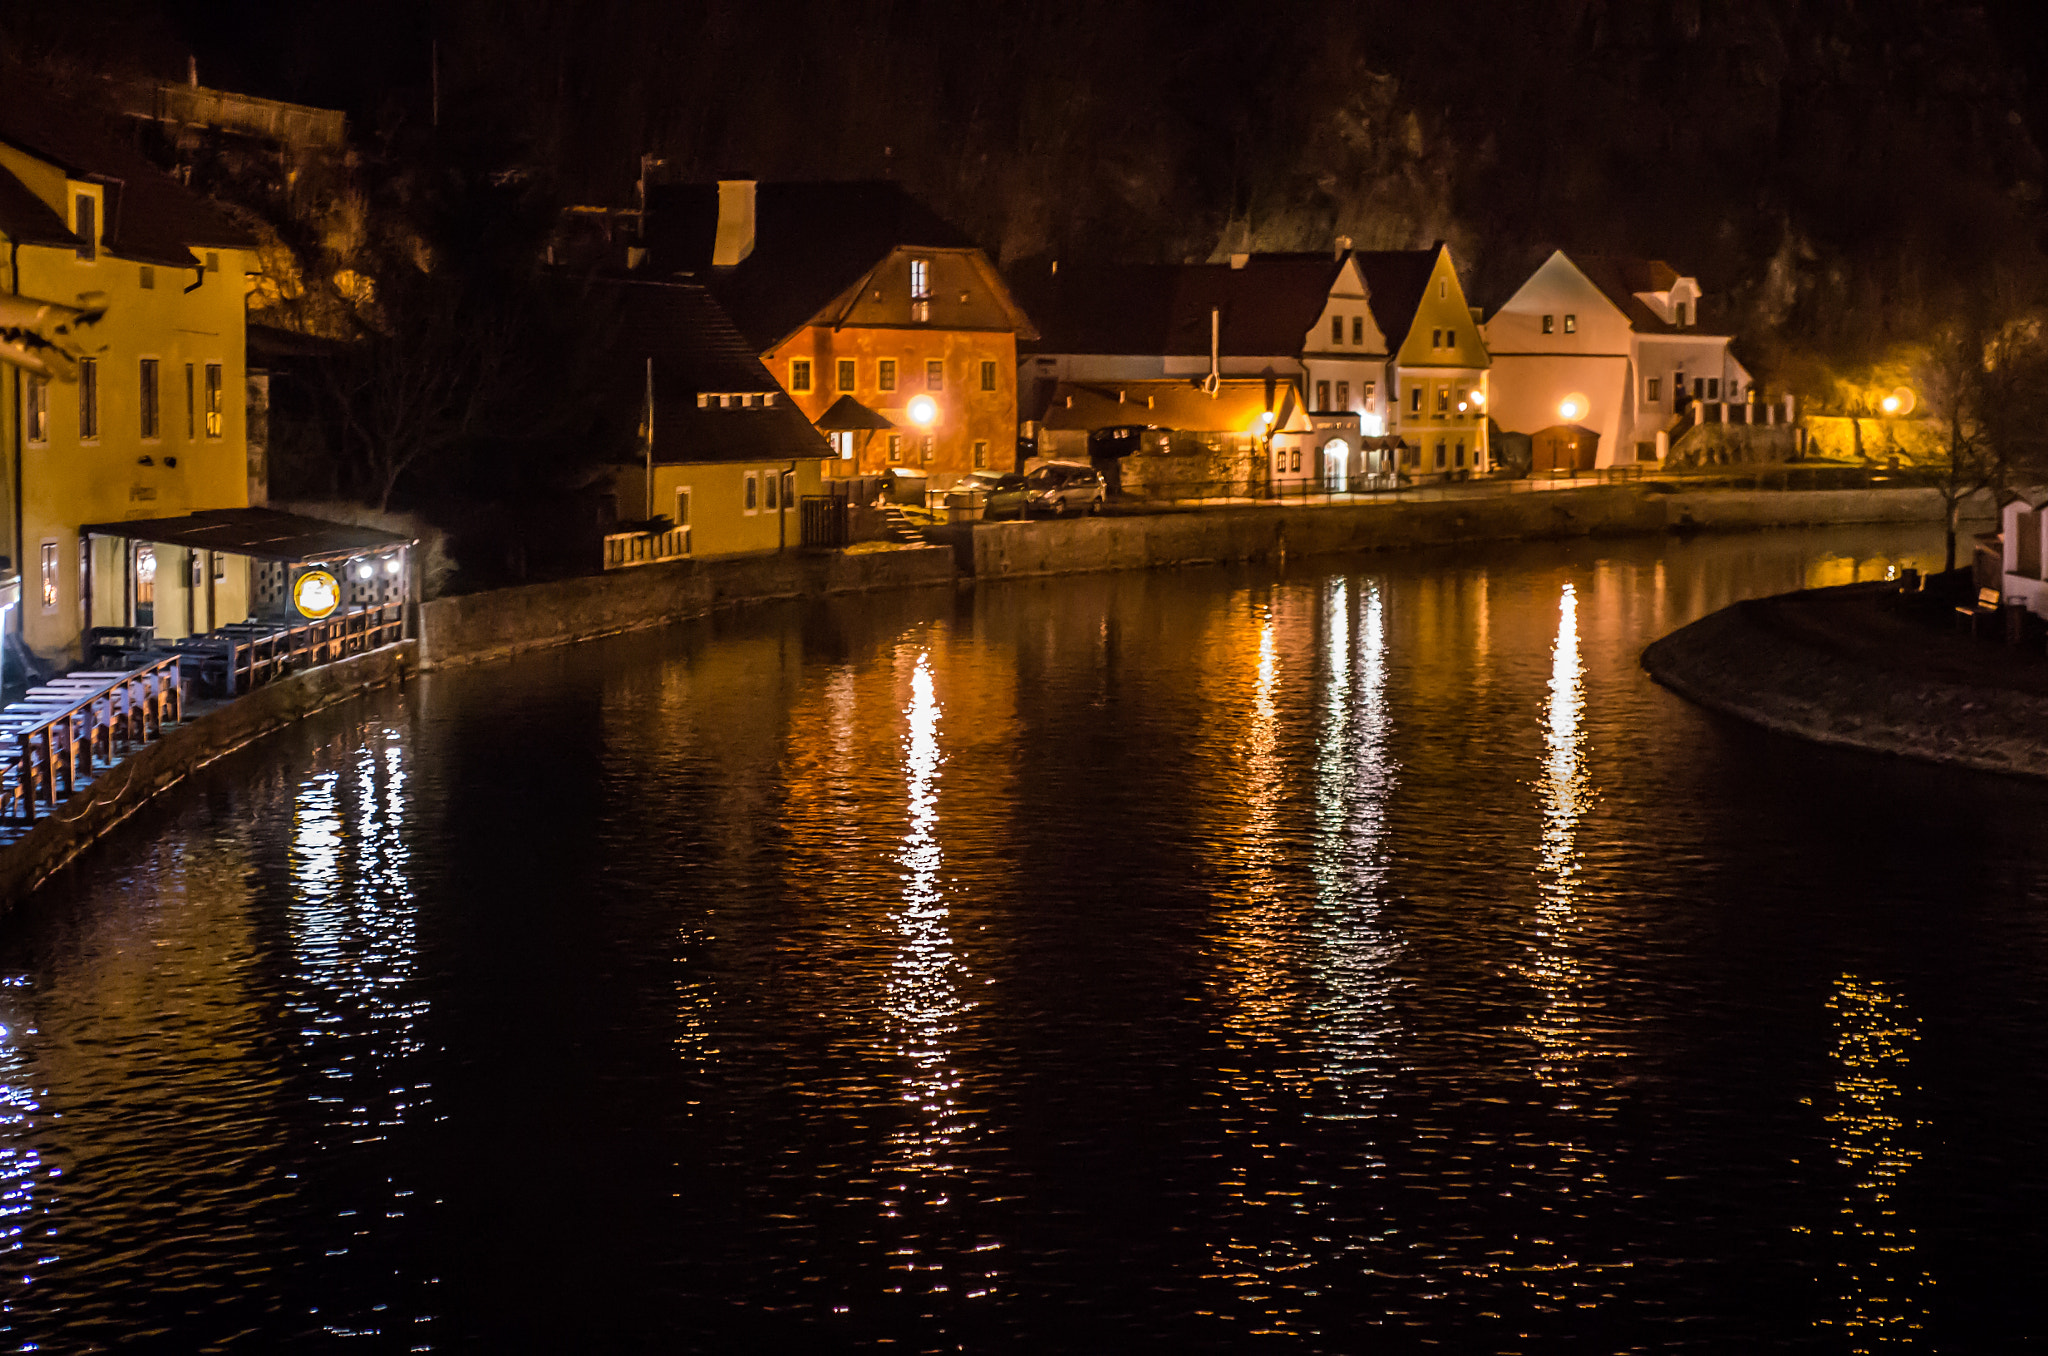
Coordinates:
x,y
732,456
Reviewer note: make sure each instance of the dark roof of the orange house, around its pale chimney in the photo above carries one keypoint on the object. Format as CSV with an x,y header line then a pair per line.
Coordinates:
x,y
812,241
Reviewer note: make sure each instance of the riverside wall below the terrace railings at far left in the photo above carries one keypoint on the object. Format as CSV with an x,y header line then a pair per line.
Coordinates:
x,y
148,771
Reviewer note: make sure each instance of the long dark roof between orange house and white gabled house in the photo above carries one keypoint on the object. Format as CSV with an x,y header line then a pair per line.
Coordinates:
x,y
1267,308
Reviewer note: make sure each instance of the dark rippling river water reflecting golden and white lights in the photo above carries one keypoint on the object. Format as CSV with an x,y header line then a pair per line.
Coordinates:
x,y
1359,958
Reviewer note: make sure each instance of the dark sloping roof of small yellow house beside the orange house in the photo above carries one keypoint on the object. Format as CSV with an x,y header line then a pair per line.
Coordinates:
x,y
697,349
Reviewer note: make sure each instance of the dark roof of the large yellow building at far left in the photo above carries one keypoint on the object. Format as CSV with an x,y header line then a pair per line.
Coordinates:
x,y
151,216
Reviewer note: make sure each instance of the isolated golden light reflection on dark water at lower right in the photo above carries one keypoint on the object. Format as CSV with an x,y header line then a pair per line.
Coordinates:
x,y
1881,1283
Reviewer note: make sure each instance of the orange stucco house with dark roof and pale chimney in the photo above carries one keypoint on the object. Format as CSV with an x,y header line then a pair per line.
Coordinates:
x,y
886,325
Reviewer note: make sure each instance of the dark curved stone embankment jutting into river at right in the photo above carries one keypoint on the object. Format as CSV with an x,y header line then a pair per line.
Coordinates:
x,y
1867,669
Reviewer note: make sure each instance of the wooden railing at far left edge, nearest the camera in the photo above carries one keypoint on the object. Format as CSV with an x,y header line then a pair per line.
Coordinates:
x,y
97,714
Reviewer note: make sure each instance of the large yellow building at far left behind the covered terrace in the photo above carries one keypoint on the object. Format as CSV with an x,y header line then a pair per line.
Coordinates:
x,y
126,398
